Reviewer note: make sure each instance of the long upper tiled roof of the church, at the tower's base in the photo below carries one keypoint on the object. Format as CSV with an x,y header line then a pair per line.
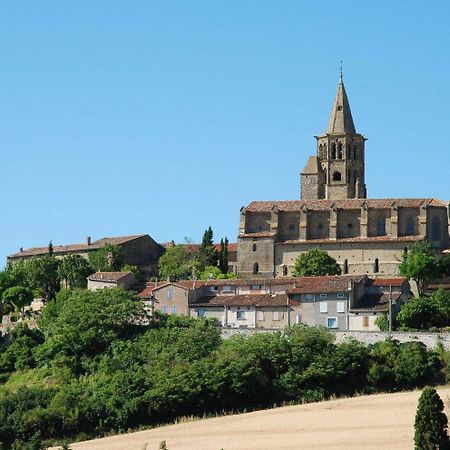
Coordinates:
x,y
325,205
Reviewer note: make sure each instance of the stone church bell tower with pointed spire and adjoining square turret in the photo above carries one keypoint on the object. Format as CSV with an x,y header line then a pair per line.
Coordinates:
x,y
337,172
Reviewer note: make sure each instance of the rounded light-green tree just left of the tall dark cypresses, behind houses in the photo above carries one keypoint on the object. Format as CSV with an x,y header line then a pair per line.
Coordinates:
x,y
176,263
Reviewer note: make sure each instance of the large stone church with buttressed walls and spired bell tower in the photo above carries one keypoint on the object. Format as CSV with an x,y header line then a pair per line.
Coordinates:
x,y
365,236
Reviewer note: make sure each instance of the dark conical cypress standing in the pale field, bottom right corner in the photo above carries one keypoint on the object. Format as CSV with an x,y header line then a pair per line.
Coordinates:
x,y
431,422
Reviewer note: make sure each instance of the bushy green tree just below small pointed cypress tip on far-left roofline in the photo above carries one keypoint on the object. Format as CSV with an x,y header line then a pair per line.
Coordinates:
x,y
43,275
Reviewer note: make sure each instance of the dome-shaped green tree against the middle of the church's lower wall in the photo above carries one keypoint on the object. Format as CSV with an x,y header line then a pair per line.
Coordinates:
x,y
315,262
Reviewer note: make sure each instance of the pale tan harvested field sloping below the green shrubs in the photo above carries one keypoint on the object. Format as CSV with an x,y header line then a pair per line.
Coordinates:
x,y
384,421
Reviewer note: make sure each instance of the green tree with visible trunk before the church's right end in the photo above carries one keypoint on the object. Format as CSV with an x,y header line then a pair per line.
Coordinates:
x,y
420,264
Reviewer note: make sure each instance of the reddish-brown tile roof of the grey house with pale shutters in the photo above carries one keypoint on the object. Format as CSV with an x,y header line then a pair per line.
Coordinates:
x,y
329,284
